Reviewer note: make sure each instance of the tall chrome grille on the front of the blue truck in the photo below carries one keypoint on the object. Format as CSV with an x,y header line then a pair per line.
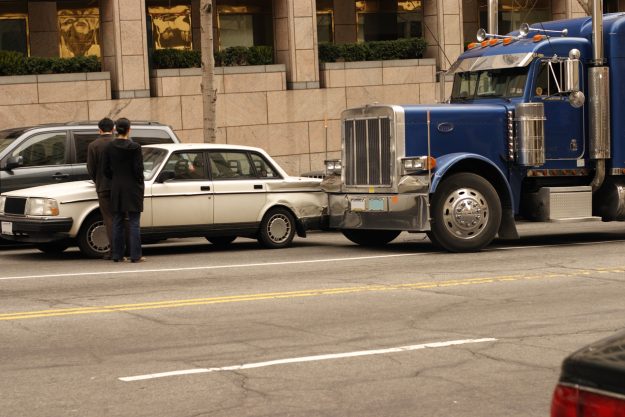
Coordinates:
x,y
368,152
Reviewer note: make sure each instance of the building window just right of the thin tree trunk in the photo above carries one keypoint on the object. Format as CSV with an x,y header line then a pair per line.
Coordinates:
x,y
244,23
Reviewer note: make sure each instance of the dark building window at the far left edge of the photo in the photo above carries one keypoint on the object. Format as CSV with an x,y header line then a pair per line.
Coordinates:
x,y
14,27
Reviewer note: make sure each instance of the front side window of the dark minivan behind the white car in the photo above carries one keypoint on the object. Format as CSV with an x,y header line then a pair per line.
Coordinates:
x,y
43,149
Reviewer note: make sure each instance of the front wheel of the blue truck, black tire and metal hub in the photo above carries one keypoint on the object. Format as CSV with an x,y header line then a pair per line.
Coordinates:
x,y
465,212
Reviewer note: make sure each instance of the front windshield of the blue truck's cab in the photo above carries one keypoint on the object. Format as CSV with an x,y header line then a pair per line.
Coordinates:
x,y
504,82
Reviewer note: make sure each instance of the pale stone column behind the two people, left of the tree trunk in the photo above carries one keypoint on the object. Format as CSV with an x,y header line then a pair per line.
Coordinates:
x,y
124,47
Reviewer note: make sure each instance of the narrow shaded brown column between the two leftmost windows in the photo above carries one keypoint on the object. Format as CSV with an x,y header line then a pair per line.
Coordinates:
x,y
43,28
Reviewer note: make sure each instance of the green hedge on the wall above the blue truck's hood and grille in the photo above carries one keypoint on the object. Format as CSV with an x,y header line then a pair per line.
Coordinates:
x,y
373,51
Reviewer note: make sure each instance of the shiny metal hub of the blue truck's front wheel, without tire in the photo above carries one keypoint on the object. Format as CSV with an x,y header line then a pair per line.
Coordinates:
x,y
465,213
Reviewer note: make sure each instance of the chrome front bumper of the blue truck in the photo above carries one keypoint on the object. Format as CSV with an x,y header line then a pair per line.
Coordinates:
x,y
405,212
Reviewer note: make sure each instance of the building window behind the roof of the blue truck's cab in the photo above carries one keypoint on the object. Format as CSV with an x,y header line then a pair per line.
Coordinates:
x,y
513,12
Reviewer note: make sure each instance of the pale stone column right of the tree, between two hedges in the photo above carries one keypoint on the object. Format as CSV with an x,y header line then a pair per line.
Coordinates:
x,y
295,30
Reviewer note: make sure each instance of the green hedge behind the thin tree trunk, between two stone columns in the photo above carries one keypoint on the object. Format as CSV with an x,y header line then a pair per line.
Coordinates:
x,y
233,56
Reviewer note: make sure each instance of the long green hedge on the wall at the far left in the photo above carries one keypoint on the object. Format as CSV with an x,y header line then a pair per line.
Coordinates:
x,y
15,63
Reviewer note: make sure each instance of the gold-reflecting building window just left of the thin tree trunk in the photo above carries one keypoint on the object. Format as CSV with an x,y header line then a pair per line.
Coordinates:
x,y
170,25
